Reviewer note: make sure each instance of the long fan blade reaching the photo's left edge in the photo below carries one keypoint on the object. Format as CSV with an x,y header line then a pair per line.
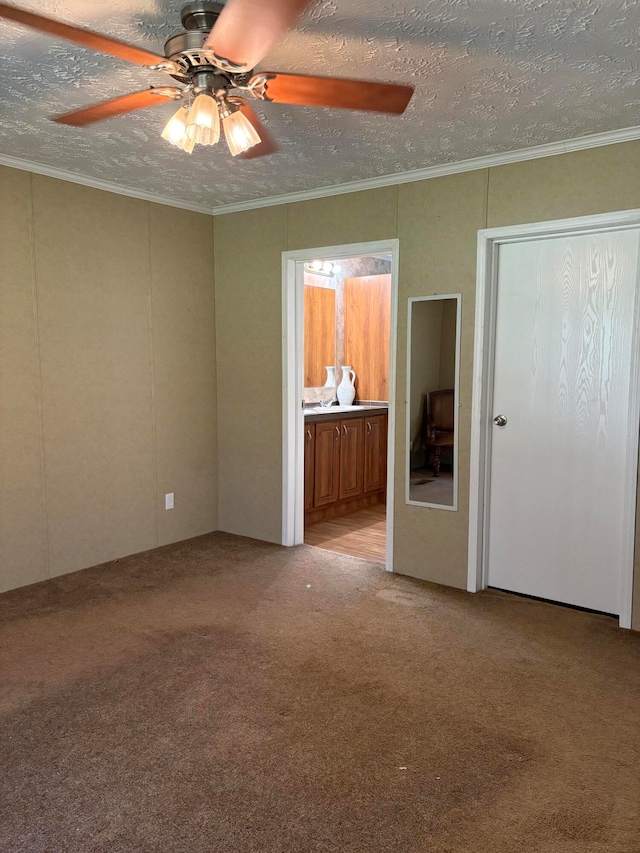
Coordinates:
x,y
86,38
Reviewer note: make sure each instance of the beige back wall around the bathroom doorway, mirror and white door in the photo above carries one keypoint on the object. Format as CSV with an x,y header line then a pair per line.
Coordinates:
x,y
436,222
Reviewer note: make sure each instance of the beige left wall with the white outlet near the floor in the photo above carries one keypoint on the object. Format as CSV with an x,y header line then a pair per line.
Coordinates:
x,y
107,391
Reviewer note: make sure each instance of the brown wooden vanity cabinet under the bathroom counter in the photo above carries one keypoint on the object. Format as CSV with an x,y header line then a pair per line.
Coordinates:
x,y
345,465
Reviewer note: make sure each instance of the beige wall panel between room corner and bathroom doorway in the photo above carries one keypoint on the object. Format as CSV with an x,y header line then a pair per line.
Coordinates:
x,y
248,262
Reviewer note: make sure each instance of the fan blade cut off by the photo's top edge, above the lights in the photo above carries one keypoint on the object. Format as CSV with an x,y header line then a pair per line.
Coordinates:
x,y
246,30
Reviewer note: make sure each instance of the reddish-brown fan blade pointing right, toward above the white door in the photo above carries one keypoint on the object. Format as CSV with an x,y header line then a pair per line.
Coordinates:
x,y
330,92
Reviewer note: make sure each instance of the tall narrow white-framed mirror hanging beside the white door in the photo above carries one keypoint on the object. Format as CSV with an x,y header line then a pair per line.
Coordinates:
x,y
433,356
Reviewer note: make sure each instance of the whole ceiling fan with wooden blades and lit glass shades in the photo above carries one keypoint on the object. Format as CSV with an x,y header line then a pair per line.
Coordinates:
x,y
213,57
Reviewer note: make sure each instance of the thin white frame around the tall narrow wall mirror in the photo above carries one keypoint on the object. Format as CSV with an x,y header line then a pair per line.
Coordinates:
x,y
456,410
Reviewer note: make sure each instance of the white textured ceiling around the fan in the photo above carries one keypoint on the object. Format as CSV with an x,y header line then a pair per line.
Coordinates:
x,y
491,76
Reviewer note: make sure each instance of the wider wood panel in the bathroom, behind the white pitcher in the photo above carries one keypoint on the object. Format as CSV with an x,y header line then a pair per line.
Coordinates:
x,y
367,330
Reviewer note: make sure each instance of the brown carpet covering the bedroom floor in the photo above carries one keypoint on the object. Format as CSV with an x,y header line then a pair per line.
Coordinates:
x,y
225,696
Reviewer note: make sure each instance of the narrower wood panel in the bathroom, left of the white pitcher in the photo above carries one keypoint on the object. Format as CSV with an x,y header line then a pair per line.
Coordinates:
x,y
319,334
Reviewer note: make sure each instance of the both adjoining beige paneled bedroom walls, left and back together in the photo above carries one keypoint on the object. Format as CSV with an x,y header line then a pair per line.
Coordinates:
x,y
108,359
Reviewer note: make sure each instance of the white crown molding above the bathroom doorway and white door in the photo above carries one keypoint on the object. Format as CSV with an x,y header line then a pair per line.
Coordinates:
x,y
550,149
